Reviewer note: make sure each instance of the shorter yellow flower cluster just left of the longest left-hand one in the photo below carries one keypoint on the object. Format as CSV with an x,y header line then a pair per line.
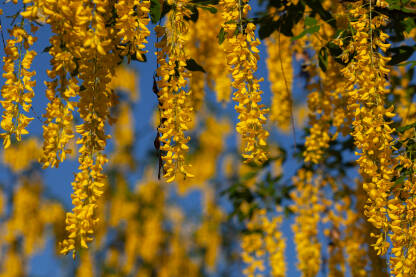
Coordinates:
x,y
58,129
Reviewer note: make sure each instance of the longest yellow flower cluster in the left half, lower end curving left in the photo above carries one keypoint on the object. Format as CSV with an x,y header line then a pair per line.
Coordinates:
x,y
93,107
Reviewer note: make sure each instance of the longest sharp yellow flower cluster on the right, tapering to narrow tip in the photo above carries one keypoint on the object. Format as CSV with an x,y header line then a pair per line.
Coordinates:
x,y
366,88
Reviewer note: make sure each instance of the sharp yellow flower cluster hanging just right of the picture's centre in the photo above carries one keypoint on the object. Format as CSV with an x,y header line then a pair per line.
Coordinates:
x,y
242,56
